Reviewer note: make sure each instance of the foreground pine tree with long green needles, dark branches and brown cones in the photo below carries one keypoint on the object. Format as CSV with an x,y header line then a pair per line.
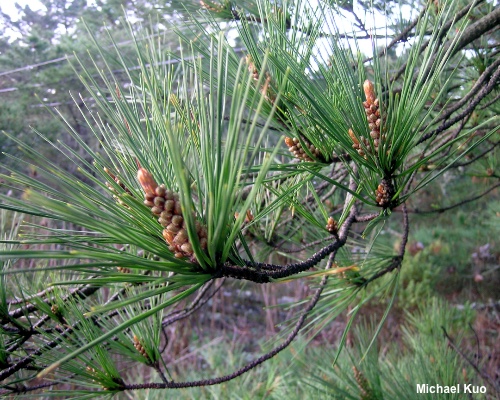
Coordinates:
x,y
211,158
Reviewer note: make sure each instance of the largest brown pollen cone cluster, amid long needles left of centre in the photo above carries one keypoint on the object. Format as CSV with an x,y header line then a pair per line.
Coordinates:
x,y
167,207
